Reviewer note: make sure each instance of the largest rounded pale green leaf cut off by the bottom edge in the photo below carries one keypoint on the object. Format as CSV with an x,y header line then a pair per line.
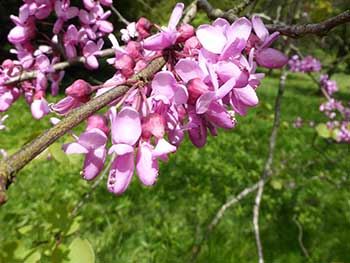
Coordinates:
x,y
81,251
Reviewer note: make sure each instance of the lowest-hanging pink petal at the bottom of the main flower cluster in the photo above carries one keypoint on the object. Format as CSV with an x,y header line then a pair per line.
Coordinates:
x,y
121,173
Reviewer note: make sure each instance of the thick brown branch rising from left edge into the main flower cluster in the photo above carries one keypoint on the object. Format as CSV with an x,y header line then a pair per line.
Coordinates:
x,y
12,164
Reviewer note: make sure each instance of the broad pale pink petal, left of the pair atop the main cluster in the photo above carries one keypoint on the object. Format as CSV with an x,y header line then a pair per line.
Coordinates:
x,y
207,34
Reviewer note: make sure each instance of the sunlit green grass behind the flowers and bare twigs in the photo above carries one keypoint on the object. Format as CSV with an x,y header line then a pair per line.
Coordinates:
x,y
162,223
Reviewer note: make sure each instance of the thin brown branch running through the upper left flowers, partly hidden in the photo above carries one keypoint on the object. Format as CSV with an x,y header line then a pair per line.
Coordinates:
x,y
27,75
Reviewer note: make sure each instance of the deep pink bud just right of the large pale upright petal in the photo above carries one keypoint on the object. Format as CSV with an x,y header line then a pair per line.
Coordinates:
x,y
153,124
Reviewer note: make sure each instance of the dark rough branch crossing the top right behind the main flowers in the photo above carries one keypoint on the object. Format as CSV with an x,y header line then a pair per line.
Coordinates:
x,y
293,31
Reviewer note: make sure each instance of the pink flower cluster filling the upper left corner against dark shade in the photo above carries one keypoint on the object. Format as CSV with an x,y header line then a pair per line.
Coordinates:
x,y
75,32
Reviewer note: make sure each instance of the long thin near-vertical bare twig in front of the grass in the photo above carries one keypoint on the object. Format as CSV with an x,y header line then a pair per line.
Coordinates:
x,y
267,169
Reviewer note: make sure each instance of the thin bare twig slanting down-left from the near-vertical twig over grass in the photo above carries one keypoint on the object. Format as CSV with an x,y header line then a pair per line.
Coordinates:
x,y
197,248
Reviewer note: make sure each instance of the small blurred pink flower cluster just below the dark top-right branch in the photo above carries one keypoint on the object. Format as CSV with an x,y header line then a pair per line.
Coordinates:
x,y
307,64
